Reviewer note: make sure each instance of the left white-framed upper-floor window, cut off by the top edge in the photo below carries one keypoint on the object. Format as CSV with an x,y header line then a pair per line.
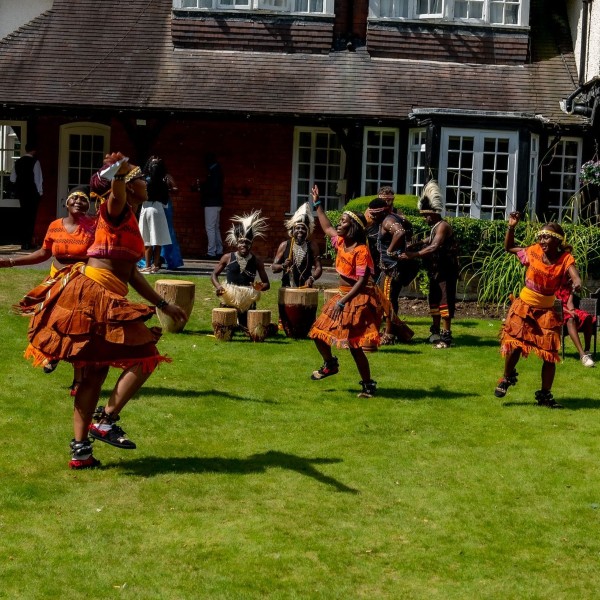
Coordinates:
x,y
322,7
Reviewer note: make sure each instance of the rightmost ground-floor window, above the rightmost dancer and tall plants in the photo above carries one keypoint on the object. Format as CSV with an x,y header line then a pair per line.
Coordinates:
x,y
564,180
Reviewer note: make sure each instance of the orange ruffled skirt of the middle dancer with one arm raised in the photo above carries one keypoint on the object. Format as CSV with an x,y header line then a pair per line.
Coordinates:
x,y
357,326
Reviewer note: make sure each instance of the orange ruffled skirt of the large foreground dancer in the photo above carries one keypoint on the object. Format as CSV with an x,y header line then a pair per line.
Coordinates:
x,y
78,320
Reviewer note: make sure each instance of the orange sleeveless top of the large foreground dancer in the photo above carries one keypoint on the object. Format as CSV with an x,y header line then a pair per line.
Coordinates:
x,y
117,240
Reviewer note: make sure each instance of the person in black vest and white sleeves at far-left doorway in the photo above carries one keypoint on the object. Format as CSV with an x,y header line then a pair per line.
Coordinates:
x,y
27,178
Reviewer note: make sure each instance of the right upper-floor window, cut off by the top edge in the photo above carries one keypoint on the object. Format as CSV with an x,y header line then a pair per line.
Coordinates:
x,y
493,12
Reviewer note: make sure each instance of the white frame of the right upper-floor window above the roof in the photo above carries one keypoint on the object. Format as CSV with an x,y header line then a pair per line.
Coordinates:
x,y
410,8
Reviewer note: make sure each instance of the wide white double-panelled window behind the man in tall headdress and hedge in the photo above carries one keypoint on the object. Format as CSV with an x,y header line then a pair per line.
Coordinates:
x,y
478,173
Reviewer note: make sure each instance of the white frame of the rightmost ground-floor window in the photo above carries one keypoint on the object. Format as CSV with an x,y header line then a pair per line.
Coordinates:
x,y
566,195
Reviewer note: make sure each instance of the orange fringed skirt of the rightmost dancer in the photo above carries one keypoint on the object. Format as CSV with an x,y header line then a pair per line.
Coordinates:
x,y
532,330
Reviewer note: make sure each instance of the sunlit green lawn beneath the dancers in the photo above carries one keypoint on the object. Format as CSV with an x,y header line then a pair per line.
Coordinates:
x,y
251,481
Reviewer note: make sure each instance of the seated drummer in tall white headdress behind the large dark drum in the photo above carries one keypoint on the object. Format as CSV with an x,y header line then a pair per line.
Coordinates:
x,y
298,258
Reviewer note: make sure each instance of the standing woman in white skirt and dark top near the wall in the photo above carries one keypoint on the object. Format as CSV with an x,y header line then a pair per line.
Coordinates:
x,y
153,221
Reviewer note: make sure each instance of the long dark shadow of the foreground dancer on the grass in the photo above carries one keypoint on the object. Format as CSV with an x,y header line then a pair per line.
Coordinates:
x,y
151,466
